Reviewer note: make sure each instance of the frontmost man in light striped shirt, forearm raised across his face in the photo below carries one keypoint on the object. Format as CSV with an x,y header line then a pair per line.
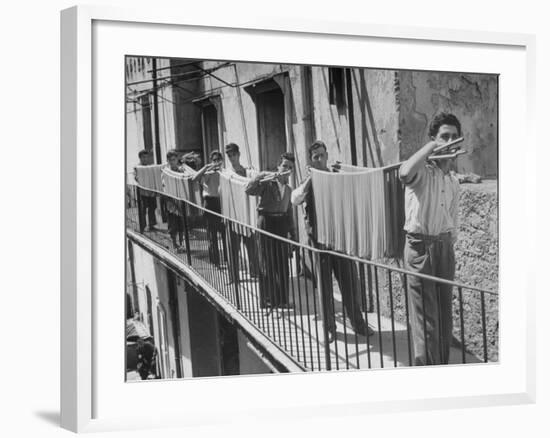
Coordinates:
x,y
431,225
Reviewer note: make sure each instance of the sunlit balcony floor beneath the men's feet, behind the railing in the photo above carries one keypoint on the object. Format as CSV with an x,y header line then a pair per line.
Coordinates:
x,y
299,329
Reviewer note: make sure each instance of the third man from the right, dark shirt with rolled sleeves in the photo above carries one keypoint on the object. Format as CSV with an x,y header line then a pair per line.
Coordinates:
x,y
274,216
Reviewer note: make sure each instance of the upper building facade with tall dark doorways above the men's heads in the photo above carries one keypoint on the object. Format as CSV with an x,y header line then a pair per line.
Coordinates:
x,y
368,117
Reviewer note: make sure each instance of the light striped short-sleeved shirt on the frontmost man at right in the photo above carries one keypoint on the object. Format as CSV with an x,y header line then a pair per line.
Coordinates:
x,y
431,202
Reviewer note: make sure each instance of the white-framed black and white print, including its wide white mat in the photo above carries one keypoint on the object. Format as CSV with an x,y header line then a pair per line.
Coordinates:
x,y
286,225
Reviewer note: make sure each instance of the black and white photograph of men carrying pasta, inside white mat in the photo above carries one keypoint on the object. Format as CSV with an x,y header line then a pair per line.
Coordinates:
x,y
285,218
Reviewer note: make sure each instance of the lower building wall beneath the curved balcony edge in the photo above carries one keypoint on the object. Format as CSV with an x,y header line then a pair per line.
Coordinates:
x,y
193,337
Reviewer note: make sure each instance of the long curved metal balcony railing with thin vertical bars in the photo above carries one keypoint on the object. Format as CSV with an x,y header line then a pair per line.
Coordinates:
x,y
287,290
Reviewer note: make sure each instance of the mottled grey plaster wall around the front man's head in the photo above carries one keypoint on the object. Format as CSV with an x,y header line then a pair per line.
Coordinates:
x,y
473,98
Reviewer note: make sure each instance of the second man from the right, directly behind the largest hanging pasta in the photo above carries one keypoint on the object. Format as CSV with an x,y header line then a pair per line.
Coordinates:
x,y
344,270
